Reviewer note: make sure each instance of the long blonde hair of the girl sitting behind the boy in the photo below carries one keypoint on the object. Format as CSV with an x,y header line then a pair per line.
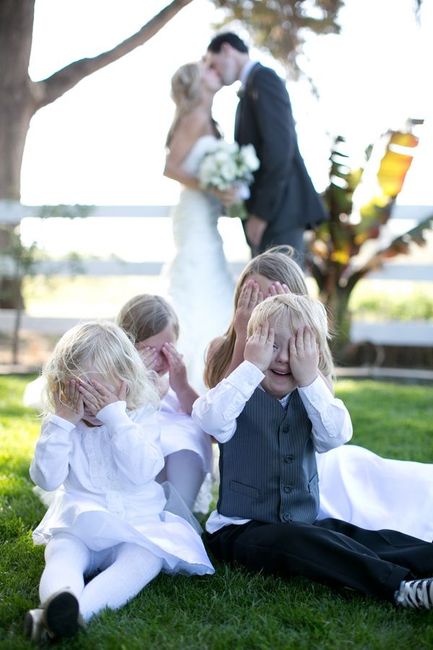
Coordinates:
x,y
276,264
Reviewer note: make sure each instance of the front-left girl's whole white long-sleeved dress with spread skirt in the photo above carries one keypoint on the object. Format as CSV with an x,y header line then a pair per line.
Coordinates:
x,y
109,494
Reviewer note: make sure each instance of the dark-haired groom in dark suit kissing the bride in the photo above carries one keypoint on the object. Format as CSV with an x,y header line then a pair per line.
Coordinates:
x,y
283,201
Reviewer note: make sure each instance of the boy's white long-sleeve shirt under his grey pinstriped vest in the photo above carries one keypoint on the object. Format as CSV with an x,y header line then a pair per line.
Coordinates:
x,y
216,412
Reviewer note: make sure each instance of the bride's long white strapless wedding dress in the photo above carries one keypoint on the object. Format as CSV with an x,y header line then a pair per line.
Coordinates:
x,y
199,283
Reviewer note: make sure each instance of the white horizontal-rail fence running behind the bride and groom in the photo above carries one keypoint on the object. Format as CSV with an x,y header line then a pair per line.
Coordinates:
x,y
415,268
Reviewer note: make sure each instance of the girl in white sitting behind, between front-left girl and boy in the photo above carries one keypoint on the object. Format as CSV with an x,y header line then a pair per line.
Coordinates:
x,y
152,325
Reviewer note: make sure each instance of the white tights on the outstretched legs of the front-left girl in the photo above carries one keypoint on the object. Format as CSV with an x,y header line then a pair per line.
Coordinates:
x,y
125,570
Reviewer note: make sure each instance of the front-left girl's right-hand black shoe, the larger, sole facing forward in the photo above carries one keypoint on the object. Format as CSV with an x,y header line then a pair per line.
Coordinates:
x,y
62,615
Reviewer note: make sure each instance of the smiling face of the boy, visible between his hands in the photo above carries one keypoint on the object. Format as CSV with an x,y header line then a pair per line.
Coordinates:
x,y
279,380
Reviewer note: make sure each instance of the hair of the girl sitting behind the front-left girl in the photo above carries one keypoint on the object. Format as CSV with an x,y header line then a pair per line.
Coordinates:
x,y
145,315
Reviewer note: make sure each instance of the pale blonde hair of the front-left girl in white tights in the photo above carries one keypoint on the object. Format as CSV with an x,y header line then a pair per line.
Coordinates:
x,y
99,347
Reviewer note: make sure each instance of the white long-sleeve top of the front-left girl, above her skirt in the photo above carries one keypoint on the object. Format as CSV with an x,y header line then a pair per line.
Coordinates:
x,y
106,463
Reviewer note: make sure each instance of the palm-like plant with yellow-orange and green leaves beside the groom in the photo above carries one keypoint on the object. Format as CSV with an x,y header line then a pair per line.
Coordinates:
x,y
360,202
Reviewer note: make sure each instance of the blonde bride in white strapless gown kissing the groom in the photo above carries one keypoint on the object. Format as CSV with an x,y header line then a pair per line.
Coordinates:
x,y
198,280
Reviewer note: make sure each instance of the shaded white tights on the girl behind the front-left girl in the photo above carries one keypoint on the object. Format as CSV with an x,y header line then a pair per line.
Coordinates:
x,y
184,470
